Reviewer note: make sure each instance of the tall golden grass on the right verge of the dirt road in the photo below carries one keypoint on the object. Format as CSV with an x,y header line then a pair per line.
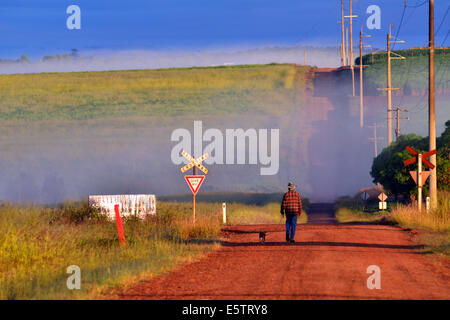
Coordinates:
x,y
433,227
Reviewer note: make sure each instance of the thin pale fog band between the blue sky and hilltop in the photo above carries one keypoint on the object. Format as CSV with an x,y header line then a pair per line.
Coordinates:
x,y
147,59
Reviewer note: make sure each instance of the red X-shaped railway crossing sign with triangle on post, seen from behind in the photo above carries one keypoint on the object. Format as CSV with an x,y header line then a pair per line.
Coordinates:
x,y
418,176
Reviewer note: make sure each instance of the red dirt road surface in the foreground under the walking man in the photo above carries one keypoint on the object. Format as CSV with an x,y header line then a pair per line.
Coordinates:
x,y
328,261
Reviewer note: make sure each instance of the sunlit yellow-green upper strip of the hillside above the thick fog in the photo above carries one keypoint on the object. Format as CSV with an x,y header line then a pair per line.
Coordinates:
x,y
165,92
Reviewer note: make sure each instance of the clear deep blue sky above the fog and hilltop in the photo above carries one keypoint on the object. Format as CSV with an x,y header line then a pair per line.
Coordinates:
x,y
38,27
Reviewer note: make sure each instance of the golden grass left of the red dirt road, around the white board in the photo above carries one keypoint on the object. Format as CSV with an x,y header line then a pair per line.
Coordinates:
x,y
37,244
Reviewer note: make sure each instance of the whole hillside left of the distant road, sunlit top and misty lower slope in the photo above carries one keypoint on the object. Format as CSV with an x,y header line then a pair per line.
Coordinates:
x,y
68,135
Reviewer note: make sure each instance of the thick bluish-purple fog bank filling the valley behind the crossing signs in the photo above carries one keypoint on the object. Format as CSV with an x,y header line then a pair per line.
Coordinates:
x,y
323,149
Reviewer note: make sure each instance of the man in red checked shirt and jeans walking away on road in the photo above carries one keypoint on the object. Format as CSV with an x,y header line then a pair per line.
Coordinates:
x,y
292,207
